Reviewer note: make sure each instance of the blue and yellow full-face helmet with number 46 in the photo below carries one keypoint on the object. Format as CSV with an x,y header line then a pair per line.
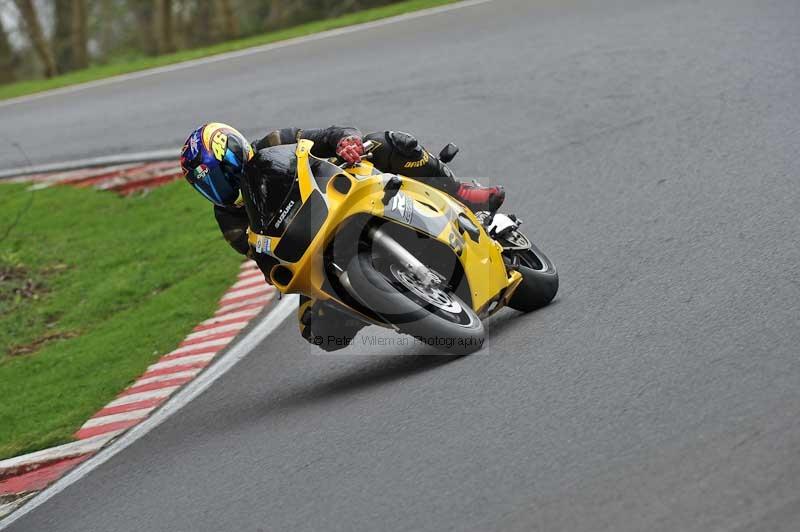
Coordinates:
x,y
213,160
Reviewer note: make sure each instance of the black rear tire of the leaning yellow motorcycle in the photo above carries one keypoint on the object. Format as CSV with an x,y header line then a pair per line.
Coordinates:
x,y
539,281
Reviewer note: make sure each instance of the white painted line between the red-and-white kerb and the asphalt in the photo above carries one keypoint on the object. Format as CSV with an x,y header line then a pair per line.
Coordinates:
x,y
228,360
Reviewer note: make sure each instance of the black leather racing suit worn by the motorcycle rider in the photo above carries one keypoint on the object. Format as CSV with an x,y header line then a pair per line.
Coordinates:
x,y
274,163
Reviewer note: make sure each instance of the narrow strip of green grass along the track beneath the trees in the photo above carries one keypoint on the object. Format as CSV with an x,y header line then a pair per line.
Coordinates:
x,y
123,67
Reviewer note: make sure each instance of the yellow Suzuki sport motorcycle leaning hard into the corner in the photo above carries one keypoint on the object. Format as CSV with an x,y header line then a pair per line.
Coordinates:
x,y
395,252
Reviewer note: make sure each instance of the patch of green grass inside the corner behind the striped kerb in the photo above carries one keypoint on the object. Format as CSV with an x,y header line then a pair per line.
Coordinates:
x,y
120,280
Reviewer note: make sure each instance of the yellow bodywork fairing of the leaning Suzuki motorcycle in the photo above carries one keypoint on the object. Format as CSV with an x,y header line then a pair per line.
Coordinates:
x,y
328,202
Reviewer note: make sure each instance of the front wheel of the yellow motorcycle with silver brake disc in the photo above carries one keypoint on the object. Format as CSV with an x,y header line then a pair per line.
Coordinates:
x,y
428,311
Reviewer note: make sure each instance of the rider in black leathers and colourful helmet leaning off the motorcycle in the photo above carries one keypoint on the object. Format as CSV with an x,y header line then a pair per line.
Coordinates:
x,y
216,156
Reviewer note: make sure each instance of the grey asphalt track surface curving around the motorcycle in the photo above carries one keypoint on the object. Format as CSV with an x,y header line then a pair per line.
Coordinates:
x,y
652,149
